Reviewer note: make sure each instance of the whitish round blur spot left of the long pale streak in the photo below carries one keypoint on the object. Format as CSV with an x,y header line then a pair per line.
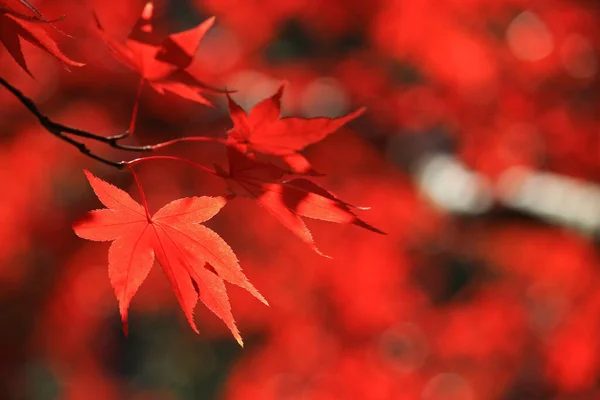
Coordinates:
x,y
450,185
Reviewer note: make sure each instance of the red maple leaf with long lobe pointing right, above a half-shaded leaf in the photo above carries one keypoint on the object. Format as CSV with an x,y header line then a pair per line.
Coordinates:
x,y
263,131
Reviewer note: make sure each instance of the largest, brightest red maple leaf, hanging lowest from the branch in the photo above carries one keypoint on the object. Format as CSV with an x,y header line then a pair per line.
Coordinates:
x,y
182,246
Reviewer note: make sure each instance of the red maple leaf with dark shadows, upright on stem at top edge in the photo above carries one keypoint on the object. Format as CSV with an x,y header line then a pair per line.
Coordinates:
x,y
162,62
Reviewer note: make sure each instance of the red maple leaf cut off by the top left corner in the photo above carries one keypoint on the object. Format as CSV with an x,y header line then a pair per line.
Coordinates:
x,y
19,20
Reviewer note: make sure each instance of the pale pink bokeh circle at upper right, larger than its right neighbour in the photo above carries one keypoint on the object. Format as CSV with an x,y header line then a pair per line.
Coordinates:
x,y
528,37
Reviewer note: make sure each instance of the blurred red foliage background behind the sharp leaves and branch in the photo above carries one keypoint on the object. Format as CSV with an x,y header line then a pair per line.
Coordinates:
x,y
479,155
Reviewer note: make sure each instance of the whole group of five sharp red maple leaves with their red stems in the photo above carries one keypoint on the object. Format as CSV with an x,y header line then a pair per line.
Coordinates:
x,y
195,259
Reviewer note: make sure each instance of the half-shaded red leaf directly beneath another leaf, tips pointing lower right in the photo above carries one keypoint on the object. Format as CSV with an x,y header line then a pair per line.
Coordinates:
x,y
289,200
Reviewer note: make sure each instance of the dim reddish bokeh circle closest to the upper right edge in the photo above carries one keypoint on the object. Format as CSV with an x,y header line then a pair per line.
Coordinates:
x,y
579,57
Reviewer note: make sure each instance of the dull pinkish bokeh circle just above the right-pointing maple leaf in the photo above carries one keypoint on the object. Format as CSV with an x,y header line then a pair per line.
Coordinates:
x,y
324,97
